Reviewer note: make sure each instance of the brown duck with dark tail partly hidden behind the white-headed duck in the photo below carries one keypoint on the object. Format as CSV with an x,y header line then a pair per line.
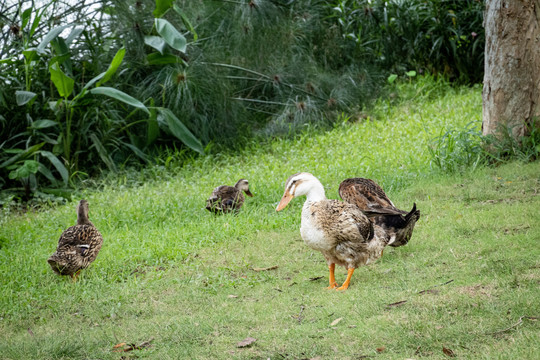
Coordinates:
x,y
370,197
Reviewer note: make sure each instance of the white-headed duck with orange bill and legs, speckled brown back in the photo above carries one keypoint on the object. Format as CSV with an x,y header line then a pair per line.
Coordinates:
x,y
339,230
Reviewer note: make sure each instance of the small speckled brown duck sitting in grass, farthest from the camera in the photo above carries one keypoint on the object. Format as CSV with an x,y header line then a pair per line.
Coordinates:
x,y
226,198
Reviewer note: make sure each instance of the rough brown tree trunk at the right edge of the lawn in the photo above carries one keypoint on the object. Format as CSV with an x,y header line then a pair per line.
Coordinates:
x,y
511,95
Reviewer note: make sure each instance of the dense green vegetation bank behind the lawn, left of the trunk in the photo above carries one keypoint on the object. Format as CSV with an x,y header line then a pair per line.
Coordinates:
x,y
105,85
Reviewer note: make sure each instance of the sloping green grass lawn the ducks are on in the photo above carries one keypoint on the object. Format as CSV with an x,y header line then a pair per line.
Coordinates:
x,y
171,271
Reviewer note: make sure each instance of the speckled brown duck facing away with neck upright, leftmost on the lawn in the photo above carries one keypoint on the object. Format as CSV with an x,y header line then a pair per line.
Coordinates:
x,y
78,245
